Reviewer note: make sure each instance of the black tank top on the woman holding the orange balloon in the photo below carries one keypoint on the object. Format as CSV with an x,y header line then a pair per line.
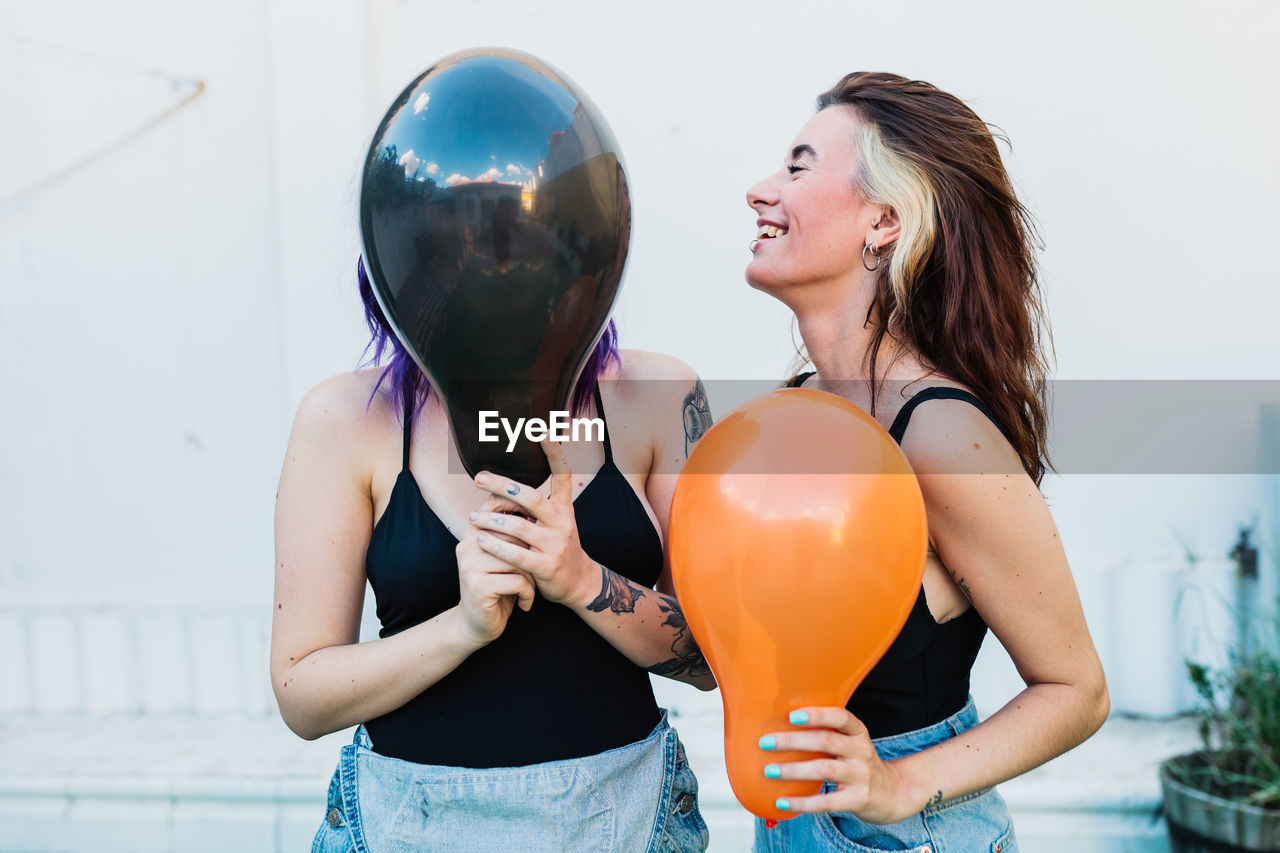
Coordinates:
x,y
925,676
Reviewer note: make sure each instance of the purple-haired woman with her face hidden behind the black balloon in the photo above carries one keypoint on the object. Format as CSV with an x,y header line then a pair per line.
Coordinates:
x,y
506,704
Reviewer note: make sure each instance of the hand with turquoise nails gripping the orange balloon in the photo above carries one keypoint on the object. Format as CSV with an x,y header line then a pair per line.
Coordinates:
x,y
866,784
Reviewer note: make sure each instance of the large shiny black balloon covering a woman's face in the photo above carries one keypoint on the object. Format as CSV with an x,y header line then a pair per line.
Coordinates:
x,y
496,221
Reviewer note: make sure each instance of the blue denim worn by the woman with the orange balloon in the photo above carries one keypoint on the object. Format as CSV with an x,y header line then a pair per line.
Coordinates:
x,y
976,823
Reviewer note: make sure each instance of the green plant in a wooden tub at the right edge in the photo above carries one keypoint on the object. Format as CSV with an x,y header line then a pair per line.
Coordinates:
x,y
1227,796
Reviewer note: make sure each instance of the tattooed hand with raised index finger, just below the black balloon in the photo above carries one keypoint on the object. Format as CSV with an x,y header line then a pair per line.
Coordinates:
x,y
546,545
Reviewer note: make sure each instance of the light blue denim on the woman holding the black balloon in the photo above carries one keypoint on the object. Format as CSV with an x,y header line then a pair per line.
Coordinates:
x,y
641,799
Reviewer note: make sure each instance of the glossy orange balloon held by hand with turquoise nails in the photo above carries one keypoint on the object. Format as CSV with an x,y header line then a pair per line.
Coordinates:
x,y
798,545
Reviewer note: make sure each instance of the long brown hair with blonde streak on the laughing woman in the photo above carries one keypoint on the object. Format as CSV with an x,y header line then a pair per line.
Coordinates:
x,y
961,285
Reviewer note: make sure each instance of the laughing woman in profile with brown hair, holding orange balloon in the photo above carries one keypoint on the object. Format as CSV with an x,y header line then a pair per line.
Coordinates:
x,y
895,236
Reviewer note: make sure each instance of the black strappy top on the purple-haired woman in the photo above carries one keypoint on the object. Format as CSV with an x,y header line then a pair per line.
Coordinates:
x,y
550,687
